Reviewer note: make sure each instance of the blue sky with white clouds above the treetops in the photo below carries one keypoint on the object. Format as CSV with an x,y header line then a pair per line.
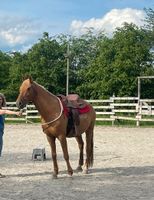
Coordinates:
x,y
22,22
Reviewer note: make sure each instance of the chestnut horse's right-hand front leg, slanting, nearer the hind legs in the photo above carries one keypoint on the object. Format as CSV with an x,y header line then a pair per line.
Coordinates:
x,y
63,142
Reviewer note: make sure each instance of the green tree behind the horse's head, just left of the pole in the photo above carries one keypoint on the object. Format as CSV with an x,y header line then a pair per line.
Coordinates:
x,y
47,64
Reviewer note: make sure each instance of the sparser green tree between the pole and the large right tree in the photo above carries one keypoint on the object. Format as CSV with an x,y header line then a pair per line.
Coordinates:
x,y
84,50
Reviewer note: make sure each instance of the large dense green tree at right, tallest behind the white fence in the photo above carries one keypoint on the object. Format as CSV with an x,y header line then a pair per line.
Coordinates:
x,y
120,61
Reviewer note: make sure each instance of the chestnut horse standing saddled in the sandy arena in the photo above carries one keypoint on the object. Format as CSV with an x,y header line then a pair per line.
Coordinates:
x,y
54,123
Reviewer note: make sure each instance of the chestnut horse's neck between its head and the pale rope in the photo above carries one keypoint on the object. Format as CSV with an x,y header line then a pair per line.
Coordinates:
x,y
46,103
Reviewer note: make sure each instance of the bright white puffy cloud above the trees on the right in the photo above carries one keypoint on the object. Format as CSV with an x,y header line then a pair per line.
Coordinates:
x,y
108,23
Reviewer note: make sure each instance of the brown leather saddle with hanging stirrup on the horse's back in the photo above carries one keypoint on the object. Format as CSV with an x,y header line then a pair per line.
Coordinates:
x,y
73,102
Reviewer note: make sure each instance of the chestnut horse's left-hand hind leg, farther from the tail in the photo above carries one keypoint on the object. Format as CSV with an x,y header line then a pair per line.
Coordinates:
x,y
80,145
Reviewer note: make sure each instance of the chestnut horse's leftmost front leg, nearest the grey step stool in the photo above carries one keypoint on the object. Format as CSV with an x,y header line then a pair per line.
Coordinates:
x,y
52,143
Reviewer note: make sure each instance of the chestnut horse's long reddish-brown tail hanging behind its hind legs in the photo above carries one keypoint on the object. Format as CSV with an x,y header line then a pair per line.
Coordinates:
x,y
90,145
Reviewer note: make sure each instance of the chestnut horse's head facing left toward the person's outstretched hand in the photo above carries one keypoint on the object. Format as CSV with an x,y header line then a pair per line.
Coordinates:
x,y
26,93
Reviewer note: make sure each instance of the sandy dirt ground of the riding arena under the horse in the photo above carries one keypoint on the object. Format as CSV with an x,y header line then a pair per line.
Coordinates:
x,y
123,167
